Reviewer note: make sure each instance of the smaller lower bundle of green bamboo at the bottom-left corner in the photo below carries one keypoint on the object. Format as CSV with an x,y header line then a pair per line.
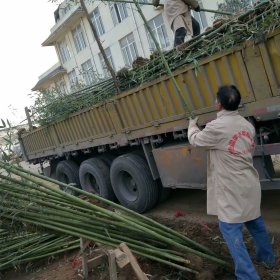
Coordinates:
x,y
20,246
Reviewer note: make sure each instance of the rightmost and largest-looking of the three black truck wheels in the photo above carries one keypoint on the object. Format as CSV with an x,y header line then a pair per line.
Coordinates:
x,y
133,183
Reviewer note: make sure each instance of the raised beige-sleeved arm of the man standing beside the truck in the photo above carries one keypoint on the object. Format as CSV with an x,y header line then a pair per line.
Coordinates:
x,y
208,137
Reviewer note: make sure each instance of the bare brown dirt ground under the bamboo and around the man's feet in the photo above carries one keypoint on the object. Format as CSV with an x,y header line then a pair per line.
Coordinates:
x,y
184,211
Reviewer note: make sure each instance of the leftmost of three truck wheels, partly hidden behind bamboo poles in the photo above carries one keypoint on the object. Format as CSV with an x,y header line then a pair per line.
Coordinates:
x,y
67,171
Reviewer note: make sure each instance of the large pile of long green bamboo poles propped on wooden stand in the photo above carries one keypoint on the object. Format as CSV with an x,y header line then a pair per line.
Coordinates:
x,y
29,198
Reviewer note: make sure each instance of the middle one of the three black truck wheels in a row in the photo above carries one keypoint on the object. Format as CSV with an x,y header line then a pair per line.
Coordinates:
x,y
95,177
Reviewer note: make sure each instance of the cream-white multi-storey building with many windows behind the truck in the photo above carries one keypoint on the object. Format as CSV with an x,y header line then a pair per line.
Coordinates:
x,y
121,31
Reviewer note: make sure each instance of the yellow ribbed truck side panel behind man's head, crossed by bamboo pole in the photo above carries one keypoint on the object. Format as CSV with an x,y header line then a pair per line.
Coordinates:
x,y
158,103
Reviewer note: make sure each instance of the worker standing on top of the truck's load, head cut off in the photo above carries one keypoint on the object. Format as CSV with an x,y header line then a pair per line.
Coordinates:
x,y
180,19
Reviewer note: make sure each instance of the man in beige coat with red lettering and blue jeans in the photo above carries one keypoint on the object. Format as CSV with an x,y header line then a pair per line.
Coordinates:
x,y
233,187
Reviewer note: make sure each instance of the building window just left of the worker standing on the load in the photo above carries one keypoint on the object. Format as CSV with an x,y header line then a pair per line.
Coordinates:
x,y
159,31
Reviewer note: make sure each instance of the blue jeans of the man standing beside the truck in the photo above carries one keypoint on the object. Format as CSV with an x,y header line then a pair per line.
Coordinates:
x,y
243,265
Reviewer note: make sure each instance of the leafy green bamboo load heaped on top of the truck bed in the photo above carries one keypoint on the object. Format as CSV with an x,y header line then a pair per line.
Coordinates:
x,y
253,25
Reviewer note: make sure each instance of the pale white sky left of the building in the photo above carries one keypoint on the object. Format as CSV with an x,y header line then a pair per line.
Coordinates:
x,y
25,24
